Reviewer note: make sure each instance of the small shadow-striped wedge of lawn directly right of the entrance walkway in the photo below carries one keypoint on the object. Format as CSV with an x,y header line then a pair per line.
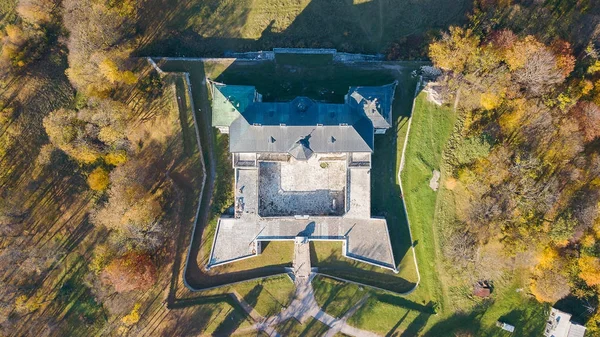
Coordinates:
x,y
336,297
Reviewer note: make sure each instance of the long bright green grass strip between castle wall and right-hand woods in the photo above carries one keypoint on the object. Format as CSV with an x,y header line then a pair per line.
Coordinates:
x,y
431,128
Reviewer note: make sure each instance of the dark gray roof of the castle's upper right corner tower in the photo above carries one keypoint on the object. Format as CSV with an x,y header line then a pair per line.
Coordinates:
x,y
374,102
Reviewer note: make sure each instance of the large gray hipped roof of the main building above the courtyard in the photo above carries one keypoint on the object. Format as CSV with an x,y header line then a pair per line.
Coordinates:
x,y
325,127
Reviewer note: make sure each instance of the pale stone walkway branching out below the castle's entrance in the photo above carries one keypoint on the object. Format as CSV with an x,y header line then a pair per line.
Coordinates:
x,y
304,305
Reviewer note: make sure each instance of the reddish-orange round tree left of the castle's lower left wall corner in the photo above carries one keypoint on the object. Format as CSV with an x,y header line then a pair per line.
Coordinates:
x,y
132,271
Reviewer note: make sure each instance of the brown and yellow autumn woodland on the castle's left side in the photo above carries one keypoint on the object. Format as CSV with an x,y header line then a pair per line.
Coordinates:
x,y
59,133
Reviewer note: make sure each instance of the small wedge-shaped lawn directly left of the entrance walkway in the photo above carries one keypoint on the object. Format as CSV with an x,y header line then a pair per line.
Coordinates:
x,y
268,296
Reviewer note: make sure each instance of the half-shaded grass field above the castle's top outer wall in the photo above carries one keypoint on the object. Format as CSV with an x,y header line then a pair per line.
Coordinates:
x,y
200,28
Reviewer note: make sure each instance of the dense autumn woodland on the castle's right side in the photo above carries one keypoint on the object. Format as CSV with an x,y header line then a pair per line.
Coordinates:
x,y
525,160
